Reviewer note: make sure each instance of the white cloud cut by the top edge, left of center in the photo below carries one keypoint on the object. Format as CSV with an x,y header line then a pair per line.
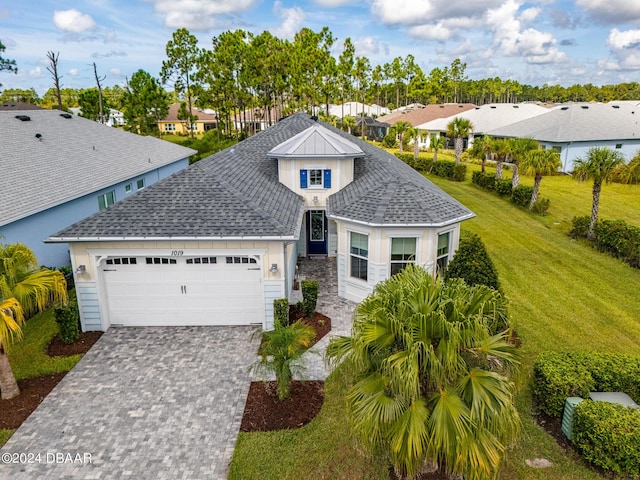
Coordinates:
x,y
198,14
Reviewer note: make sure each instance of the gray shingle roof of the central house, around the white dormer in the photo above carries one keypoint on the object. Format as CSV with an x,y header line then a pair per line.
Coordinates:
x,y
236,193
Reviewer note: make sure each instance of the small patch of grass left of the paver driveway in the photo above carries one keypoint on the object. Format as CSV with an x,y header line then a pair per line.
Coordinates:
x,y
28,357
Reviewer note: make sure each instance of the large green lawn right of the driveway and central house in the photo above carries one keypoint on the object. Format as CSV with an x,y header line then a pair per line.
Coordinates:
x,y
563,296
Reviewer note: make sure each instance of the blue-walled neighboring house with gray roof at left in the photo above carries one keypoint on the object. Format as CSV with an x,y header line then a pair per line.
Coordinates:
x,y
59,168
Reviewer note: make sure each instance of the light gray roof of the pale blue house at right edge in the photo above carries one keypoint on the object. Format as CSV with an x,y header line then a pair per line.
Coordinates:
x,y
579,123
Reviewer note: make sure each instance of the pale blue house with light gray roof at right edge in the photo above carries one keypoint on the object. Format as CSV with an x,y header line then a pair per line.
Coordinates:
x,y
574,128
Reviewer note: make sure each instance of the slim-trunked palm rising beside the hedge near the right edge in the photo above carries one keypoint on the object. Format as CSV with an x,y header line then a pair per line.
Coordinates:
x,y
599,166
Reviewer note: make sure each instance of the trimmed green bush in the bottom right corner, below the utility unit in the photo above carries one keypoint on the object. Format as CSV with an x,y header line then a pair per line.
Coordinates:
x,y
608,435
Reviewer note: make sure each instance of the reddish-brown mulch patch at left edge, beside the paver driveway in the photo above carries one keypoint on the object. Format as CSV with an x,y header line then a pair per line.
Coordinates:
x,y
32,391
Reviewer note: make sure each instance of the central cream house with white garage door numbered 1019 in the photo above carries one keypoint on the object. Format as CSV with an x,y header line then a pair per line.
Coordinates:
x,y
216,243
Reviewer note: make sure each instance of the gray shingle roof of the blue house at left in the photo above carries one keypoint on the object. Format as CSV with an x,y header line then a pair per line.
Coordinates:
x,y
71,158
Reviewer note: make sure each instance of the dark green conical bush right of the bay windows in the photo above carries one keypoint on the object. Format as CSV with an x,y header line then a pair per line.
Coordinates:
x,y
472,263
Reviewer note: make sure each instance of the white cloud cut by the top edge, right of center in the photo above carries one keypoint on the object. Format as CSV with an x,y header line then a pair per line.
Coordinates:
x,y
420,12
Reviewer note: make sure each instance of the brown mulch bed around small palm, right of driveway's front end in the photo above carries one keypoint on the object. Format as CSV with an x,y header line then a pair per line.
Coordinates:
x,y
264,412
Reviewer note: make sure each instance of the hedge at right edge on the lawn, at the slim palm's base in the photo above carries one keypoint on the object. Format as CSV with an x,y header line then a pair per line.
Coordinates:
x,y
615,237
